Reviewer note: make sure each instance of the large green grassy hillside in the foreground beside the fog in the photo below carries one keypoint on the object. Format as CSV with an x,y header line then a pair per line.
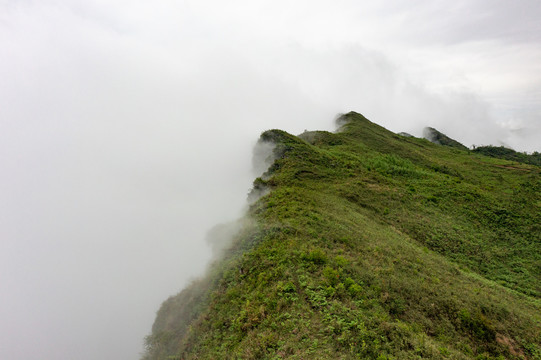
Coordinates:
x,y
371,245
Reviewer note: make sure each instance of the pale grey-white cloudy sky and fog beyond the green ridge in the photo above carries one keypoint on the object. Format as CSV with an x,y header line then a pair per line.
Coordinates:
x,y
127,129
